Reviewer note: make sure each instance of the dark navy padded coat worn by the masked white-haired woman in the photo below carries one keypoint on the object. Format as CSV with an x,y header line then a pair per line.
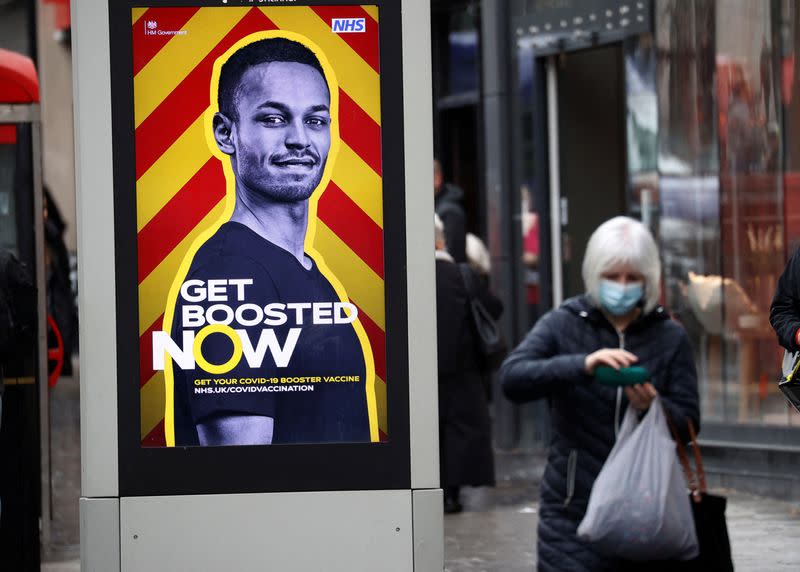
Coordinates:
x,y
585,414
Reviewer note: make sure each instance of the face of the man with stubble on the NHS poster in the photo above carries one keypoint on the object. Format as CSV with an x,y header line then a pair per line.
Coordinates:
x,y
282,136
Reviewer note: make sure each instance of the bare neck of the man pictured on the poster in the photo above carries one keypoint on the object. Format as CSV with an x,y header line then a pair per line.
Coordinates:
x,y
282,224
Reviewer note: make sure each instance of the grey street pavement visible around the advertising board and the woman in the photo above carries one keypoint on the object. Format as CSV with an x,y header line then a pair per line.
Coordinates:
x,y
496,532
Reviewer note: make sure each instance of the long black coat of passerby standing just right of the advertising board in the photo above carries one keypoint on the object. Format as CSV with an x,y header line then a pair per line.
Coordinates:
x,y
464,430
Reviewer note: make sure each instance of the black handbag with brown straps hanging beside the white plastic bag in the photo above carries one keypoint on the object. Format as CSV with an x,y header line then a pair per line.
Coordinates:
x,y
709,516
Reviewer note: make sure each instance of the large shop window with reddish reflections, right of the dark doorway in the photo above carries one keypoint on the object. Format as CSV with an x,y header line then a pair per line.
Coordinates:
x,y
721,199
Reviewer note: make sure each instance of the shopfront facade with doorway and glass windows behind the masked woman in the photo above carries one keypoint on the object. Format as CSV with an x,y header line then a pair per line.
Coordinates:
x,y
681,113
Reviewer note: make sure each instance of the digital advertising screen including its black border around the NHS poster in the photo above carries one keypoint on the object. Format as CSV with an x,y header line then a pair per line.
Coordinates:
x,y
260,239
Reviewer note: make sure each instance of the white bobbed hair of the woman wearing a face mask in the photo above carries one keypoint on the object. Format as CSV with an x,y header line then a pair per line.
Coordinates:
x,y
622,240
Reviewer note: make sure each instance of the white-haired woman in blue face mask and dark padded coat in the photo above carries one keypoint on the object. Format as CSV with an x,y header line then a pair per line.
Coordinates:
x,y
617,323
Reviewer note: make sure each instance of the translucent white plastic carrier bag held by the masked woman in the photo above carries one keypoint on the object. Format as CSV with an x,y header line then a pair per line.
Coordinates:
x,y
639,508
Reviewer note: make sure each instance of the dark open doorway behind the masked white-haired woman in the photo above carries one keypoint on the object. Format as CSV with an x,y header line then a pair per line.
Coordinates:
x,y
588,115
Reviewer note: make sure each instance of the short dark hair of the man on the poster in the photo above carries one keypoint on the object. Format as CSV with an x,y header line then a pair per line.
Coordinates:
x,y
259,52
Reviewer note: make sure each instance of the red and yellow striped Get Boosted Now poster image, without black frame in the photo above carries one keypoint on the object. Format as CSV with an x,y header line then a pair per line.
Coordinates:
x,y
259,209
